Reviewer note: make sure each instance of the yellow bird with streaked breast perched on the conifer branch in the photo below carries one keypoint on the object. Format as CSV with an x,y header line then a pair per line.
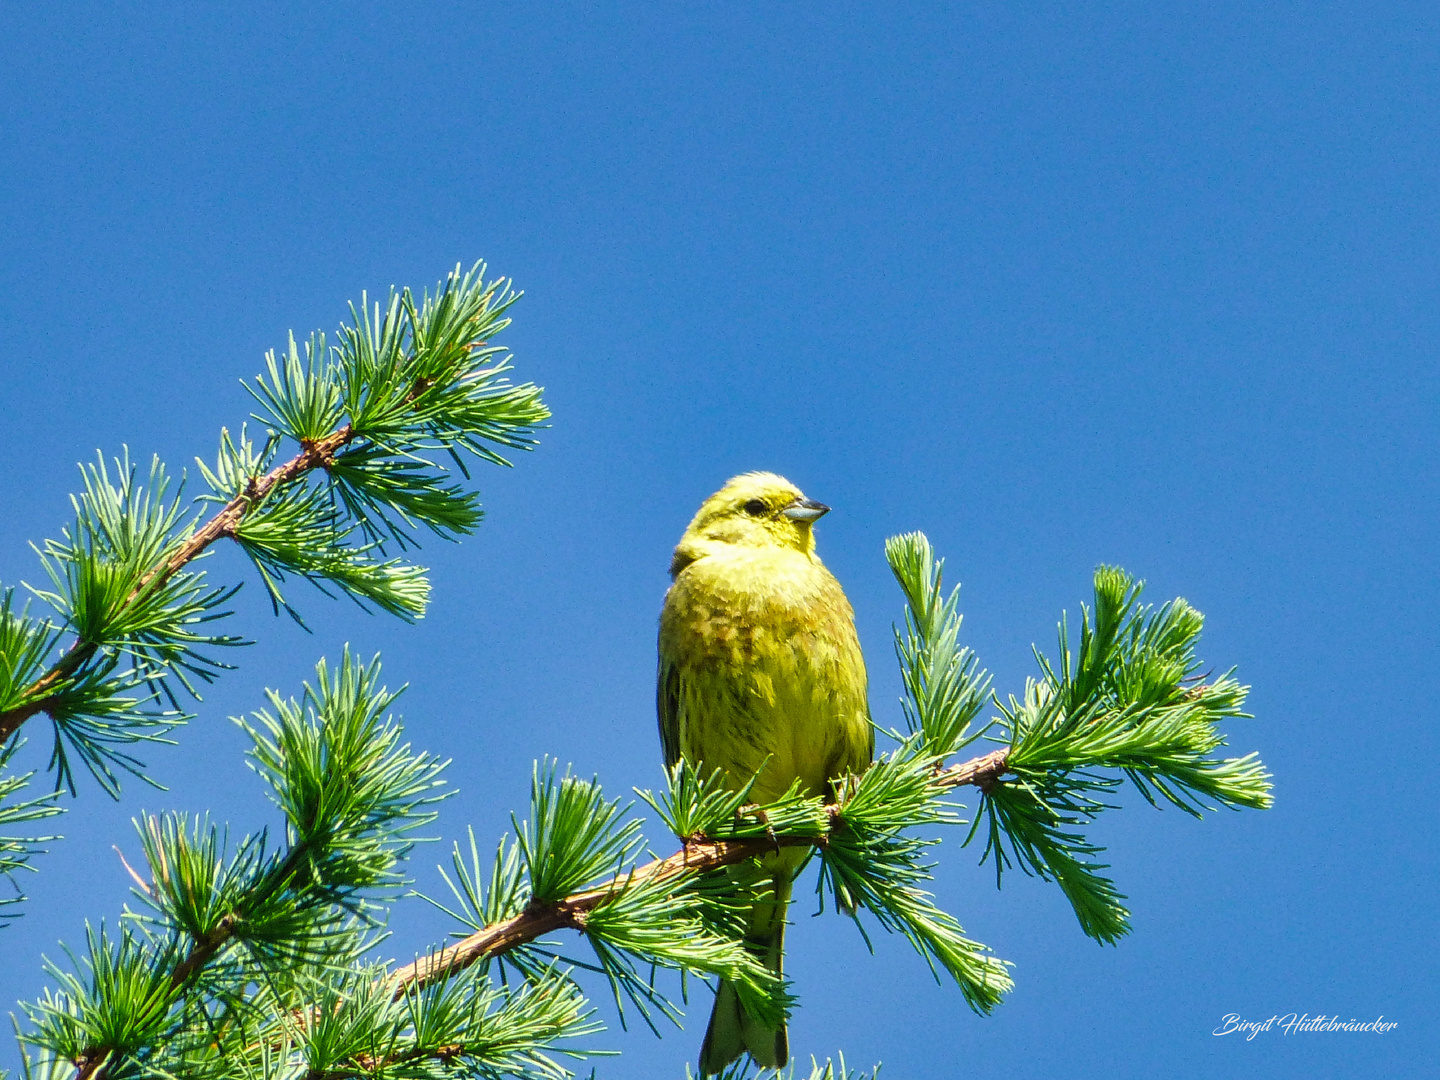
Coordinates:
x,y
760,672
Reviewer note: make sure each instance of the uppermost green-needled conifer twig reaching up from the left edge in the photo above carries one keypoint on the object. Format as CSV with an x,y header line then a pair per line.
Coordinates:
x,y
372,415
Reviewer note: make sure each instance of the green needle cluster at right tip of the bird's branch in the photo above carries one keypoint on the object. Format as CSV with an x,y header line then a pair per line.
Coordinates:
x,y
1128,702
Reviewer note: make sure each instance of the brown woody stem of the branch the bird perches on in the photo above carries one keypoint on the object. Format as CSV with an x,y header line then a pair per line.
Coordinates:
x,y
698,856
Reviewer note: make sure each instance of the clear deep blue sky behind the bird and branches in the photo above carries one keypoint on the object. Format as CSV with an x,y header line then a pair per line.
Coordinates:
x,y
1059,284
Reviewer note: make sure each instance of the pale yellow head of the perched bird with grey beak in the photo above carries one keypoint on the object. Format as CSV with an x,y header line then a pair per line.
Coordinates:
x,y
752,510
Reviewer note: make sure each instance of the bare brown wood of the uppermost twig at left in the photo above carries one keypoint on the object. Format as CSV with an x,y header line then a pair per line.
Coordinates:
x,y
313,454
